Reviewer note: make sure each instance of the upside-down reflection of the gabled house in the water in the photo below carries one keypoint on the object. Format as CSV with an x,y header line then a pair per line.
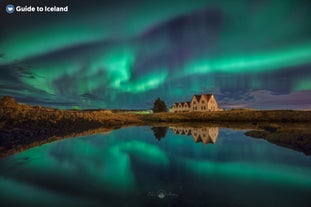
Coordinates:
x,y
204,134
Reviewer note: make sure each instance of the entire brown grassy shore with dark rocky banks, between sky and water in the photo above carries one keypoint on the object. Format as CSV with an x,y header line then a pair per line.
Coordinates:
x,y
24,126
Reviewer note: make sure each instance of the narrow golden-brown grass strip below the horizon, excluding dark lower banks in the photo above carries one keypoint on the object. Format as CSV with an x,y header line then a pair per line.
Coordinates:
x,y
15,113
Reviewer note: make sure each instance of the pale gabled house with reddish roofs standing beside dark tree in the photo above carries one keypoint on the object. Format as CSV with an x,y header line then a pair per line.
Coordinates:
x,y
204,102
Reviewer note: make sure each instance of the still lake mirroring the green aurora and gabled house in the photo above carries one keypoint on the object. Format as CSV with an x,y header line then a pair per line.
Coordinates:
x,y
158,166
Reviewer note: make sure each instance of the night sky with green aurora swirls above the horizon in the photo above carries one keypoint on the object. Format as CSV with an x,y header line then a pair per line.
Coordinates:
x,y
125,54
